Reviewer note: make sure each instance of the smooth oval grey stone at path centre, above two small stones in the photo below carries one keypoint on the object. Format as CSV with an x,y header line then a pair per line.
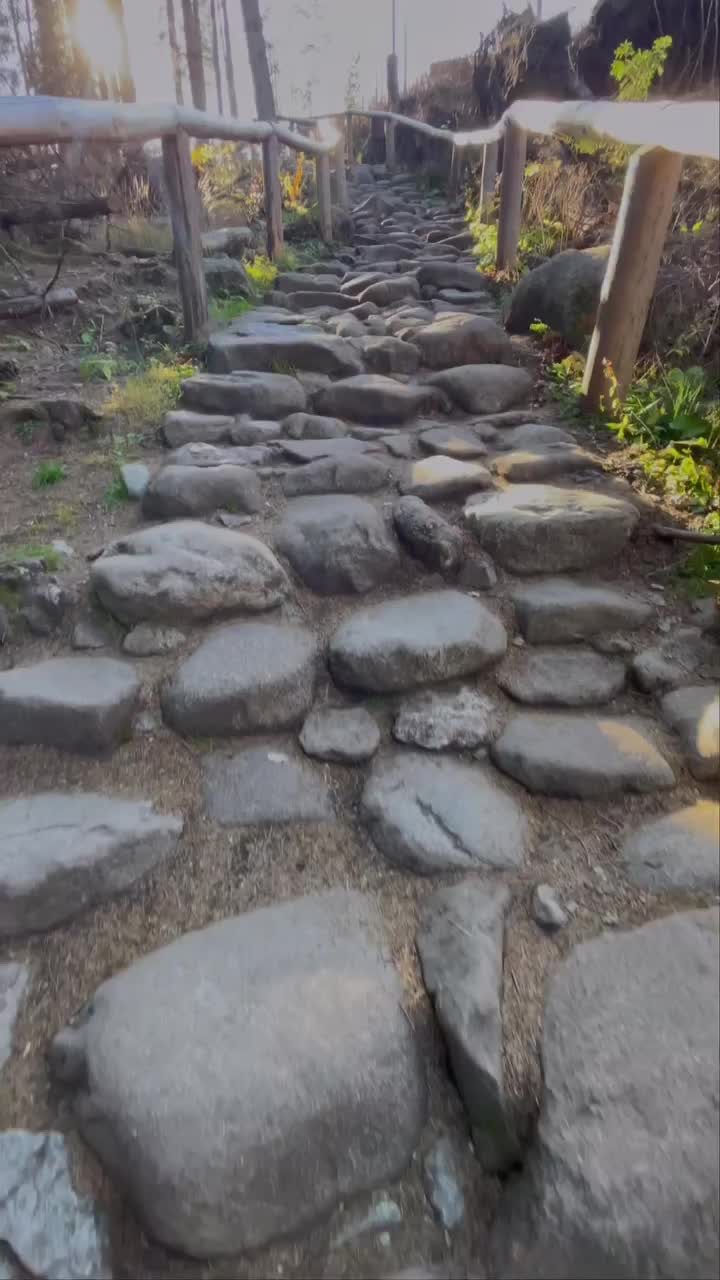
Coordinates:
x,y
416,641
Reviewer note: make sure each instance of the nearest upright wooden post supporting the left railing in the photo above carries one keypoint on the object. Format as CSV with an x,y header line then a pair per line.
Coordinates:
x,y
185,217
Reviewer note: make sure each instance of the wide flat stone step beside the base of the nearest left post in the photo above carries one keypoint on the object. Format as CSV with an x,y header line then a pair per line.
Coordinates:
x,y
315,353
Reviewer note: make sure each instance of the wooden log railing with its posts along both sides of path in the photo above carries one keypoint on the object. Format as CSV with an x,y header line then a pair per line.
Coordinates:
x,y
664,132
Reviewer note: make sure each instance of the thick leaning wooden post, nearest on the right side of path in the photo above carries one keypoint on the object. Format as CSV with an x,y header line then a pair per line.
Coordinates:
x,y
651,184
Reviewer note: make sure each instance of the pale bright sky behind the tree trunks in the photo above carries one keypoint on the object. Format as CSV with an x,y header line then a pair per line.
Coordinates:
x,y
315,44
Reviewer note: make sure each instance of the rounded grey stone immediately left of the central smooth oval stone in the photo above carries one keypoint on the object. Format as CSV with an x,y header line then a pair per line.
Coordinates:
x,y
244,678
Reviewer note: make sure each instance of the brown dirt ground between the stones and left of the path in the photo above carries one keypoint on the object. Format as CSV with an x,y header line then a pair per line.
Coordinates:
x,y
217,874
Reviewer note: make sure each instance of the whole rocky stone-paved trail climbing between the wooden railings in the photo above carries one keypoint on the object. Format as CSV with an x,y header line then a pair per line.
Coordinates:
x,y
359,836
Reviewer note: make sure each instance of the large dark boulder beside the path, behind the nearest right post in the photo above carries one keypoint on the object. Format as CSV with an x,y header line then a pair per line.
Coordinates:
x,y
563,294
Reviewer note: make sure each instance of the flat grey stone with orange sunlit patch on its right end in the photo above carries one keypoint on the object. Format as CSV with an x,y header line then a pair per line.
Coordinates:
x,y
581,756
